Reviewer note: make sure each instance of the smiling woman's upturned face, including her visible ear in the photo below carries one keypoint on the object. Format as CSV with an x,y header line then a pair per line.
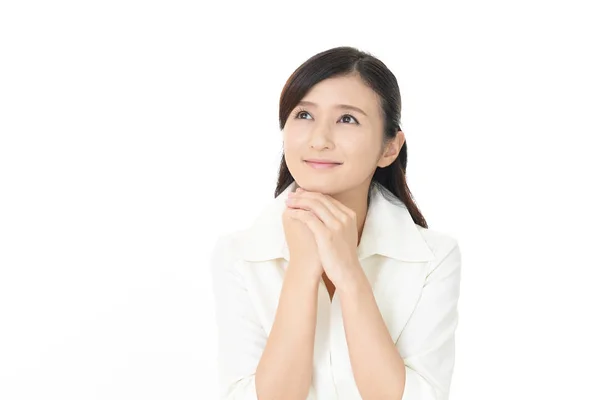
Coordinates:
x,y
319,127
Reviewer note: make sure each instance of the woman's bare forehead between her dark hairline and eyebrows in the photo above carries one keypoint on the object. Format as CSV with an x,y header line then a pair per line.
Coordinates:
x,y
344,90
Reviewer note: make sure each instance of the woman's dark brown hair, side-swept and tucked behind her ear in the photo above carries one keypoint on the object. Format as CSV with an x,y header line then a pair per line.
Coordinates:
x,y
344,61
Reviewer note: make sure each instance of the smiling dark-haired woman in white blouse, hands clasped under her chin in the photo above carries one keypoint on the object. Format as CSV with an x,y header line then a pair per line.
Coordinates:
x,y
338,290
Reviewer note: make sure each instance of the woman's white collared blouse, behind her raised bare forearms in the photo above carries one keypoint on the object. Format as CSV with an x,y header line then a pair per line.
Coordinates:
x,y
414,273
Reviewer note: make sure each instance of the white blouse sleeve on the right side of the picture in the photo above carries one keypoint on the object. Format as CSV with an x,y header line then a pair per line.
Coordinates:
x,y
427,343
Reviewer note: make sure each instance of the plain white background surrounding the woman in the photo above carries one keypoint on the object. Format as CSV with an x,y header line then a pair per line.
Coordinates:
x,y
132,134
